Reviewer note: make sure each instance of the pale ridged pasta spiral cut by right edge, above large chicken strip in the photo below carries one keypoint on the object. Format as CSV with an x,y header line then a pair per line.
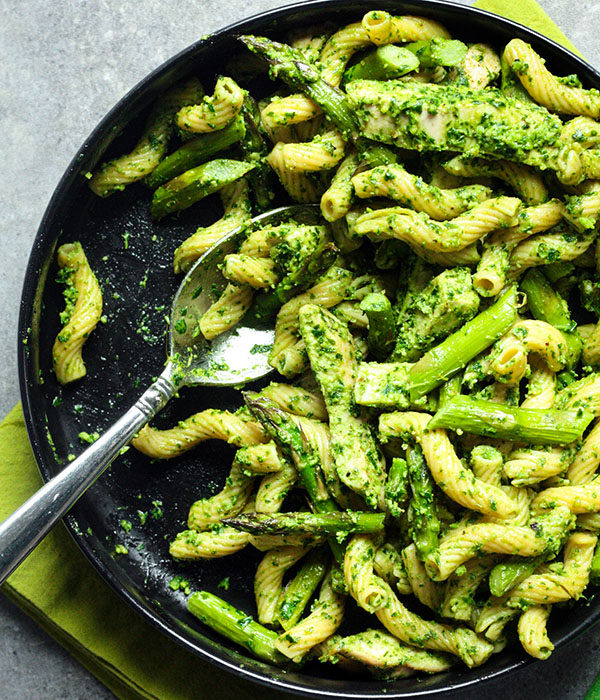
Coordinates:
x,y
544,87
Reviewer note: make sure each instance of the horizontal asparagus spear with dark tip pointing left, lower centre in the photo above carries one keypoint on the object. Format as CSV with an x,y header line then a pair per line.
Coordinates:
x,y
331,523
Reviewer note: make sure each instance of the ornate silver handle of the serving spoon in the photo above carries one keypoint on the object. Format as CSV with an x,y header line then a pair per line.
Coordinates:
x,y
29,524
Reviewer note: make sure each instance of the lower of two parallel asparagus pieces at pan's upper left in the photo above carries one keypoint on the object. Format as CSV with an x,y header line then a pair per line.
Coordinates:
x,y
195,184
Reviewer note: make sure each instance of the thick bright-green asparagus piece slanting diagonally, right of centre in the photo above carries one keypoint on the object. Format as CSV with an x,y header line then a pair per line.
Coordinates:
x,y
446,359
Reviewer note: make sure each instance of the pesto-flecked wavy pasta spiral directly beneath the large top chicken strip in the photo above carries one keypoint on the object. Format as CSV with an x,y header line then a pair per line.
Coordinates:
x,y
397,183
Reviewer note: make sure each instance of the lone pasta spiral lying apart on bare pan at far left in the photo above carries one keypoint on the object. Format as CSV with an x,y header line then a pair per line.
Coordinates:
x,y
82,313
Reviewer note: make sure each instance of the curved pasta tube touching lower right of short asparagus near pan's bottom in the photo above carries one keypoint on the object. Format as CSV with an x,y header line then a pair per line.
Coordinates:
x,y
323,620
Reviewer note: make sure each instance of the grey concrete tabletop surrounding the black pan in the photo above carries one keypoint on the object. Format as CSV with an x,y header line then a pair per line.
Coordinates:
x,y
64,64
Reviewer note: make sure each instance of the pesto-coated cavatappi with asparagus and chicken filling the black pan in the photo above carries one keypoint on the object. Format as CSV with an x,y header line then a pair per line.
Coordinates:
x,y
431,437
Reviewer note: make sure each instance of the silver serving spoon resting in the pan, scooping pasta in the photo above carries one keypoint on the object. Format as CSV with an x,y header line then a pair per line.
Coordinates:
x,y
234,357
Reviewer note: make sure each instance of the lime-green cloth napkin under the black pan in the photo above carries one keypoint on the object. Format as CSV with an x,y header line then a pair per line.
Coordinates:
x,y
59,588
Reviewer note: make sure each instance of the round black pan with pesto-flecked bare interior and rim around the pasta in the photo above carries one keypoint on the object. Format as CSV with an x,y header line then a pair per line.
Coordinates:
x,y
132,257
